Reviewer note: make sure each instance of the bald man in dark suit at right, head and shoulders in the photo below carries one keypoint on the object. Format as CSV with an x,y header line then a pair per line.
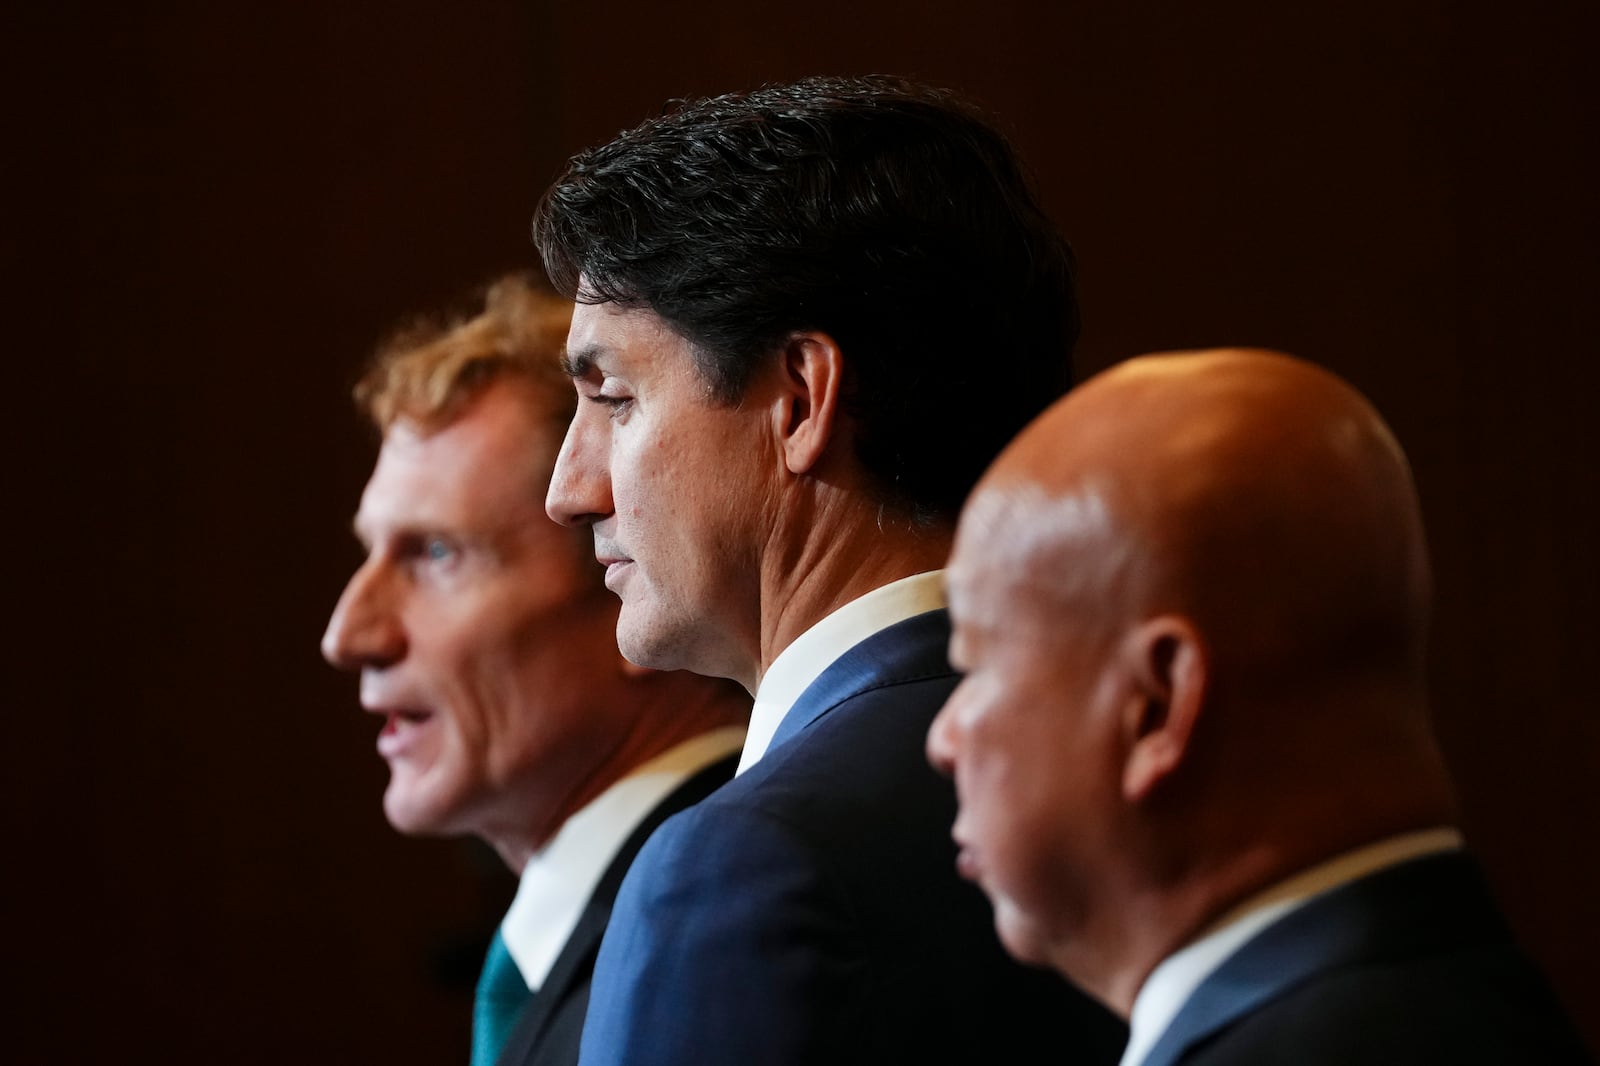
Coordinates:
x,y
1193,747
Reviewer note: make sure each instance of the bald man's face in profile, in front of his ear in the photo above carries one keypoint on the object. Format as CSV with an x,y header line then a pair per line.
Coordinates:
x,y
1028,735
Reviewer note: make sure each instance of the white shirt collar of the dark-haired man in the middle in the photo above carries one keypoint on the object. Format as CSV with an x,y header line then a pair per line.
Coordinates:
x,y
815,651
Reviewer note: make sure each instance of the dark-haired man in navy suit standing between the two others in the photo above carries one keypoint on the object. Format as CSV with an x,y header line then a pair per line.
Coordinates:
x,y
807,319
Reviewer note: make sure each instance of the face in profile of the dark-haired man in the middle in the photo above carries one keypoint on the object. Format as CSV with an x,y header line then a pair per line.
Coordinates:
x,y
674,486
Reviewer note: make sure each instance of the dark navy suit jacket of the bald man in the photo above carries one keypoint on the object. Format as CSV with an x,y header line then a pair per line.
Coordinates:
x,y
1412,964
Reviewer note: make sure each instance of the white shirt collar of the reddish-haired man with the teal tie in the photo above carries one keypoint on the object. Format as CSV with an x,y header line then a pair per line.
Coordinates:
x,y
559,880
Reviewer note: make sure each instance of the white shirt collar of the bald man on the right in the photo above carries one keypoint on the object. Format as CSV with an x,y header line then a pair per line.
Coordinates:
x,y
1170,985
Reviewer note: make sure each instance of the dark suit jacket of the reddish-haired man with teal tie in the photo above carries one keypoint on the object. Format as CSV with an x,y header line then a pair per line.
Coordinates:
x,y
550,1027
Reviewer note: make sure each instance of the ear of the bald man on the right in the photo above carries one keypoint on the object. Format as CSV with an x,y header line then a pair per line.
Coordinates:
x,y
1167,670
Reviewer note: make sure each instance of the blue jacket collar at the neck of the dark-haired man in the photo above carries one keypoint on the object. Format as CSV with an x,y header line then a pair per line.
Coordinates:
x,y
908,651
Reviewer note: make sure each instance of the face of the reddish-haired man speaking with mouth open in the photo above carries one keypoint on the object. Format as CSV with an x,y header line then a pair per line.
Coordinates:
x,y
481,641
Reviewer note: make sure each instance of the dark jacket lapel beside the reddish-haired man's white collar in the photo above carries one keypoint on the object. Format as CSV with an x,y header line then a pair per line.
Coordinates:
x,y
575,966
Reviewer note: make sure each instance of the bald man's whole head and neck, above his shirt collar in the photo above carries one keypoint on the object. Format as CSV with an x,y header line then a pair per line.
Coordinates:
x,y
1191,606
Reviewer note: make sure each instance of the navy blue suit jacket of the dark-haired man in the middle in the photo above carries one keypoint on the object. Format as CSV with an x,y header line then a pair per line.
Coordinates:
x,y
810,910
